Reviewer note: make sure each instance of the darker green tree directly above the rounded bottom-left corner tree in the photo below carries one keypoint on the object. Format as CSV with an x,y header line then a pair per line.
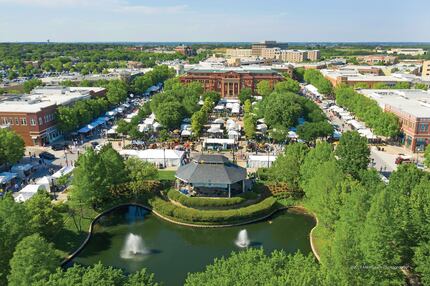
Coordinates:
x,y
45,219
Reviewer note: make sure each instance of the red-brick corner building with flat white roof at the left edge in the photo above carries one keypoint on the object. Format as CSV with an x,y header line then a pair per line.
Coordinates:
x,y
33,116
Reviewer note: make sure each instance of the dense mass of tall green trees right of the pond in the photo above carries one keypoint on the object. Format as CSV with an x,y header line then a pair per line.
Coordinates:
x,y
368,232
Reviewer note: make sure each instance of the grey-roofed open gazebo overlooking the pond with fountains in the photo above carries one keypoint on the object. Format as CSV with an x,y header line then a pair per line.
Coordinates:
x,y
211,176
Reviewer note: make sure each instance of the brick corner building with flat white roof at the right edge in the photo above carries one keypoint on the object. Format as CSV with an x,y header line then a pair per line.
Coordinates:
x,y
412,107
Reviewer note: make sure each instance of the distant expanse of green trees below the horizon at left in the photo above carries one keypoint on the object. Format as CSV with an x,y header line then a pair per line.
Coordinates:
x,y
83,58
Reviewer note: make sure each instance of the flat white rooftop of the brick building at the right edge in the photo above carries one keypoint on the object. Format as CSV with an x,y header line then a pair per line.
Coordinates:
x,y
415,102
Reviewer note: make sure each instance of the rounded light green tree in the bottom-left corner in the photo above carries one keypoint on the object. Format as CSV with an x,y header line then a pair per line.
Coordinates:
x,y
33,260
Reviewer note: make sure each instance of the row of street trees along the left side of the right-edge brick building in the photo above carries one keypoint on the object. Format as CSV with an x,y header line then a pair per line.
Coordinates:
x,y
367,110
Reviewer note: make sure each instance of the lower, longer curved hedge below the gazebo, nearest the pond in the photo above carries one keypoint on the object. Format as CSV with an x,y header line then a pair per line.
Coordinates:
x,y
188,215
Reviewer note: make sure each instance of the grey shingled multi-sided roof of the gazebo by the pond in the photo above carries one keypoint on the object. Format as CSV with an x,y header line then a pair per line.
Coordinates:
x,y
211,169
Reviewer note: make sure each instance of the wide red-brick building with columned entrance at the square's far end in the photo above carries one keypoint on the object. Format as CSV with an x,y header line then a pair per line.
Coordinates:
x,y
229,81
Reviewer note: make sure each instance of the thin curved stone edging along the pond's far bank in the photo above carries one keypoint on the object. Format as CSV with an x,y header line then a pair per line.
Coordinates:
x,y
90,230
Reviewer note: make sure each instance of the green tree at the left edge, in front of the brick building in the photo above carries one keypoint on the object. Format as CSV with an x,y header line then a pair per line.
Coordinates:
x,y
12,147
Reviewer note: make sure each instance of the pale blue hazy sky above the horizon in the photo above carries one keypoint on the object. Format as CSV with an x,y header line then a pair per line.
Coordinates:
x,y
214,20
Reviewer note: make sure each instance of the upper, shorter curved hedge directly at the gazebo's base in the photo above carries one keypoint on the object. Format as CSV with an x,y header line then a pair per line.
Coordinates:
x,y
200,202
